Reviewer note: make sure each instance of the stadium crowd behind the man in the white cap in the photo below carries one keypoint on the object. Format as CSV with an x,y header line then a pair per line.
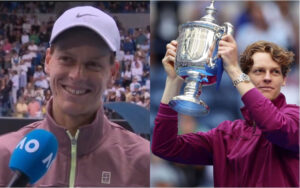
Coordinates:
x,y
25,29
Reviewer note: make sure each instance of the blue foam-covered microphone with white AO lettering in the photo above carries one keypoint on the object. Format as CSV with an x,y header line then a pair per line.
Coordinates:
x,y
32,157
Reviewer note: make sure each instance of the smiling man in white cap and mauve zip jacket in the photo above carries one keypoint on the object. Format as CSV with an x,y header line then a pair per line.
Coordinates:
x,y
92,150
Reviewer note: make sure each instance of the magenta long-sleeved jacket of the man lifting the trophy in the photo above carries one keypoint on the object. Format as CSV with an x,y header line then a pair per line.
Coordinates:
x,y
262,150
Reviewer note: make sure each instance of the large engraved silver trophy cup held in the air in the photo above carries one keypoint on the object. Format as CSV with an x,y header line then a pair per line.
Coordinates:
x,y
196,60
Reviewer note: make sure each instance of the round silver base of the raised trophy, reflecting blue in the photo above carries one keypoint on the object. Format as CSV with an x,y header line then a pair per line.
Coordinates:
x,y
189,106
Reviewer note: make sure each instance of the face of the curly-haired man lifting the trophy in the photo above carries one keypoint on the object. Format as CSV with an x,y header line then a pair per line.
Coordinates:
x,y
266,75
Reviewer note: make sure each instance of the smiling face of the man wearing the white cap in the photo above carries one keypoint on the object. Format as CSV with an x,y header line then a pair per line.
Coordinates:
x,y
79,70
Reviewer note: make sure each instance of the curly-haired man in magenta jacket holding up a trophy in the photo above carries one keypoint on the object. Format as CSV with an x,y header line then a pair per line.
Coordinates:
x,y
260,150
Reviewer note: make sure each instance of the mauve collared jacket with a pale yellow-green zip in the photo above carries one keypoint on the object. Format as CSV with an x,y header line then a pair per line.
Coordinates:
x,y
102,154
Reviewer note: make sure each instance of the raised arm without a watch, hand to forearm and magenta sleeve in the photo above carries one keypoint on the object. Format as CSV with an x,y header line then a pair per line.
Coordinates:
x,y
193,148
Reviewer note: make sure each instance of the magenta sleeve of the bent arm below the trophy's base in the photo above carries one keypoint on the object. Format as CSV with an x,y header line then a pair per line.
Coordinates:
x,y
193,148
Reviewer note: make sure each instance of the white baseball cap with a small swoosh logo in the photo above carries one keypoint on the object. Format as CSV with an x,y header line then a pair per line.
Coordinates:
x,y
92,18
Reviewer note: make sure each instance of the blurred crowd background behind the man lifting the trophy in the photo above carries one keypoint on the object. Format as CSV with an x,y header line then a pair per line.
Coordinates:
x,y
275,21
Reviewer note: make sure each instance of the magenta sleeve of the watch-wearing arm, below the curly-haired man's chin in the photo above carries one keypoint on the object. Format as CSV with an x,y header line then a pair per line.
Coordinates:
x,y
280,126
